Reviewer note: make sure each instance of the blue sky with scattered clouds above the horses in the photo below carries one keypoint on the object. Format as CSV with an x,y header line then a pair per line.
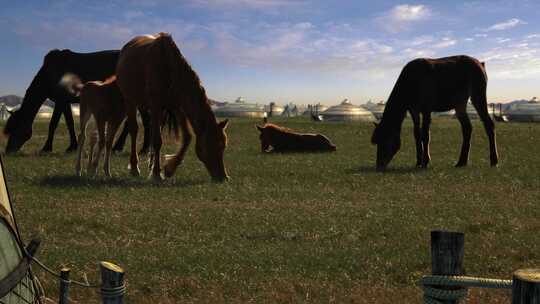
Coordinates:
x,y
287,50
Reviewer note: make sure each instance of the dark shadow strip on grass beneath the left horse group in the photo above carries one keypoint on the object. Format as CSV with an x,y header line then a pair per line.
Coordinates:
x,y
61,181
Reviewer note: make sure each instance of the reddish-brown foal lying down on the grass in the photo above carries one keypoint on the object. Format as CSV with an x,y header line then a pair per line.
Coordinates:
x,y
285,140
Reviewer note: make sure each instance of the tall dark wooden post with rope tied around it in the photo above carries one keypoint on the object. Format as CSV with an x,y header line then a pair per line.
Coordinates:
x,y
447,249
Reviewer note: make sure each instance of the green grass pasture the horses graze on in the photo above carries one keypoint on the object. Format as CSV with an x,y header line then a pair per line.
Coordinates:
x,y
289,228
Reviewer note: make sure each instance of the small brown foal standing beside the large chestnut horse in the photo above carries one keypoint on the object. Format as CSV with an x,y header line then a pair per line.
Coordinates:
x,y
103,101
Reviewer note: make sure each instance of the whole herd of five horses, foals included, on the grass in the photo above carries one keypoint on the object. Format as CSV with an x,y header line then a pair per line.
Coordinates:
x,y
150,75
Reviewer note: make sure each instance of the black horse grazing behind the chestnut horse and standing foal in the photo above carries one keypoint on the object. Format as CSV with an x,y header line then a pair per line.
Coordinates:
x,y
46,84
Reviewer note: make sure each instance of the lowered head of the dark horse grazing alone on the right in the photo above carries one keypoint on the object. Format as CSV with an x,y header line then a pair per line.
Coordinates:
x,y
388,144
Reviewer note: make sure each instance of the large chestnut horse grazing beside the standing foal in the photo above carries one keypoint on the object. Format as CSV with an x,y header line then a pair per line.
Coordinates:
x,y
153,73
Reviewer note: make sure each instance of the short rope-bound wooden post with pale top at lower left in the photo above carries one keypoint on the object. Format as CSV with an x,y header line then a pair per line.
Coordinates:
x,y
112,283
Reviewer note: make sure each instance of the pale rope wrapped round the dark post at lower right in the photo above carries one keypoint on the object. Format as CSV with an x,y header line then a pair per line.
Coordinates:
x,y
434,295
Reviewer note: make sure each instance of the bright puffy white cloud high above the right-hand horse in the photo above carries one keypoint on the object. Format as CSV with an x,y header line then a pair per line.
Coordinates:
x,y
400,17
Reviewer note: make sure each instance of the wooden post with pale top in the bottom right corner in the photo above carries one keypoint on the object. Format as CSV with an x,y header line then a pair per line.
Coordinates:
x,y
526,286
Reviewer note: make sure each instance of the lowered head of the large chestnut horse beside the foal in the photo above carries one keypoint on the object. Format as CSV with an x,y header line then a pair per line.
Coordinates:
x,y
210,147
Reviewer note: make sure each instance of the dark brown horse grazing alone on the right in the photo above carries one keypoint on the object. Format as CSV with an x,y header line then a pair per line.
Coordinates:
x,y
434,85
